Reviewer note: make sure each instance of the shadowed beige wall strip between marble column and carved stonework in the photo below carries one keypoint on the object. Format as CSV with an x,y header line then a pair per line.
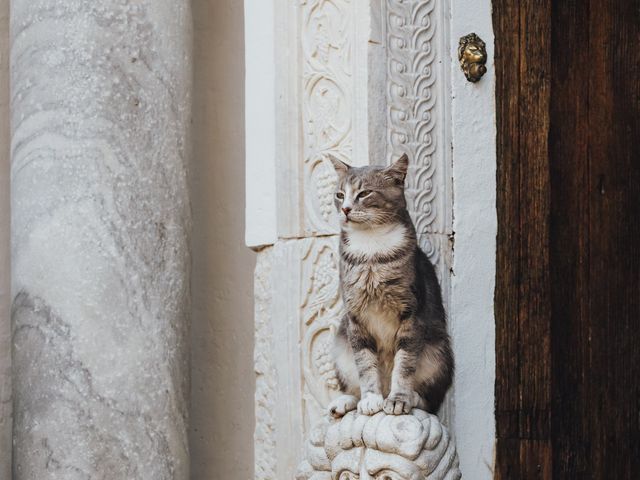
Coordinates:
x,y
222,389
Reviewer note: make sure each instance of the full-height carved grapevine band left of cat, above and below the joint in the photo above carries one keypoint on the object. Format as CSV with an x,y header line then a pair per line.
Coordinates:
x,y
326,29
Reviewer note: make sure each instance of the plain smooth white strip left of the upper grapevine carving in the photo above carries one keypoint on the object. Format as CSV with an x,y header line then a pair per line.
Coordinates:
x,y
260,126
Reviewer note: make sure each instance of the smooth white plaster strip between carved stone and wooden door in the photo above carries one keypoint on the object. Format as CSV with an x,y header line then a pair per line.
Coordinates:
x,y
475,225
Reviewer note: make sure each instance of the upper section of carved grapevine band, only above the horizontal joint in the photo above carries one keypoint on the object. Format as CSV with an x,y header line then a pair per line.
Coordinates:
x,y
326,27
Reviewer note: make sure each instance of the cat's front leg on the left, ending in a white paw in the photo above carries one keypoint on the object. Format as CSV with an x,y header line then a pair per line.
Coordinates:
x,y
364,351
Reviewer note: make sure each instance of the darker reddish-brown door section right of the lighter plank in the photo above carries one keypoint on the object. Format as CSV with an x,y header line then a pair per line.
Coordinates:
x,y
594,238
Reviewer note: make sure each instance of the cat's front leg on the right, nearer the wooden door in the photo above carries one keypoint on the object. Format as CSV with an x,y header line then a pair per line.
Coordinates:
x,y
403,396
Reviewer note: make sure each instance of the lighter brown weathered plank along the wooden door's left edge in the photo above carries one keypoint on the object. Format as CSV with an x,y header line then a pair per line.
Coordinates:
x,y
522,288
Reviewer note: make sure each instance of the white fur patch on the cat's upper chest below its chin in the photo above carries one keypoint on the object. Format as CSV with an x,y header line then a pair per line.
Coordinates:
x,y
375,241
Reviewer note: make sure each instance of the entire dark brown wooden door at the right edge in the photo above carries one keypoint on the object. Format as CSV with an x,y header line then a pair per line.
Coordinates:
x,y
568,260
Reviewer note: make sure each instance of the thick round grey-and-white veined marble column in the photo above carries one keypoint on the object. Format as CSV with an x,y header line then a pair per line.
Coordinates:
x,y
100,238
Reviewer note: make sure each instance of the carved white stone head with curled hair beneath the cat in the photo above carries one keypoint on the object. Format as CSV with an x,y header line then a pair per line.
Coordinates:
x,y
381,447
